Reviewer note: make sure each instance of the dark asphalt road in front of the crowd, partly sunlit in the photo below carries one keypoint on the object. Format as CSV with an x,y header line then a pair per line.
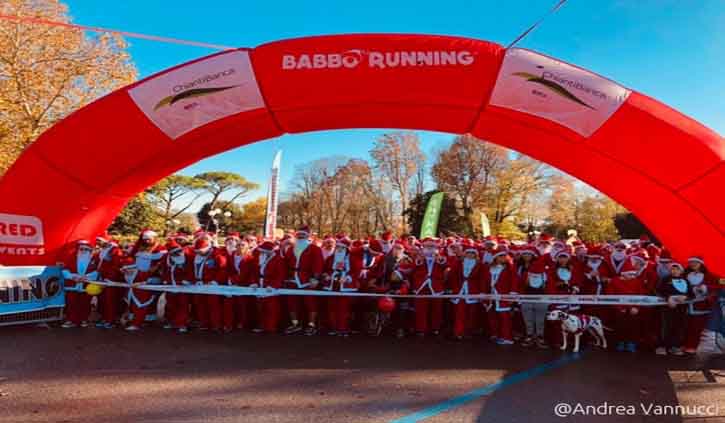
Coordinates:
x,y
91,375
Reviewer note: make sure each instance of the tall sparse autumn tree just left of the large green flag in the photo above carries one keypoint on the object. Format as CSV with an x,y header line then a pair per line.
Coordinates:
x,y
398,157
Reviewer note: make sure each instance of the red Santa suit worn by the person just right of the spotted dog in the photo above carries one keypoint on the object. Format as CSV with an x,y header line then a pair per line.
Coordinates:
x,y
627,319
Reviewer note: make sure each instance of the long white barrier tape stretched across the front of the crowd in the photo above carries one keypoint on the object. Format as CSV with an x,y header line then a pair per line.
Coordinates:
x,y
235,291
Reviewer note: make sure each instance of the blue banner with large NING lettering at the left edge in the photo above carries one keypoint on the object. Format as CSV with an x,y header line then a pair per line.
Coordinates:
x,y
30,294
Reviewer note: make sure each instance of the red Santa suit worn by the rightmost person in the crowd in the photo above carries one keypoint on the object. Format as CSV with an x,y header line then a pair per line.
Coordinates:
x,y
699,310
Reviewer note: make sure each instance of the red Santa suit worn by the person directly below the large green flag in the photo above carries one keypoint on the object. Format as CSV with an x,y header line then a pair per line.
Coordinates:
x,y
429,279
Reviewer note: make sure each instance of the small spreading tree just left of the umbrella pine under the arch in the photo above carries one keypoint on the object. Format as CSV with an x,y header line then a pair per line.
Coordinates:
x,y
167,193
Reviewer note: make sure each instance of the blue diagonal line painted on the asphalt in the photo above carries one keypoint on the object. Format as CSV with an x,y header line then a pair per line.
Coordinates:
x,y
486,390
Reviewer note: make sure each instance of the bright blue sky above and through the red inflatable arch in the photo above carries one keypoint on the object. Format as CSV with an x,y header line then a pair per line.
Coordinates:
x,y
671,50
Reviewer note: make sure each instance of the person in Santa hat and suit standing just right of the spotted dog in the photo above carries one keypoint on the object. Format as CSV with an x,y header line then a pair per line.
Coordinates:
x,y
627,319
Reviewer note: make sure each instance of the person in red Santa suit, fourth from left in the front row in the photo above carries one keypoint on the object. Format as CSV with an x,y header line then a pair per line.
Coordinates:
x,y
177,272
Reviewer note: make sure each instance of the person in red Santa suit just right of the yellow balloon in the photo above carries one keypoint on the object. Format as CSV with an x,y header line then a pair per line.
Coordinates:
x,y
109,264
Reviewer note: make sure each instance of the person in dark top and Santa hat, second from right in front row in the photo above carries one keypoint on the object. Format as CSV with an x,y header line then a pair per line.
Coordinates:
x,y
675,288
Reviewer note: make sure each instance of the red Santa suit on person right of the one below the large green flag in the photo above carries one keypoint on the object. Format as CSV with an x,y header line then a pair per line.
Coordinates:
x,y
464,279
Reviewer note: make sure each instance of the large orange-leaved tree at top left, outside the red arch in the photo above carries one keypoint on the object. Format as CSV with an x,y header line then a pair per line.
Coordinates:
x,y
47,72
